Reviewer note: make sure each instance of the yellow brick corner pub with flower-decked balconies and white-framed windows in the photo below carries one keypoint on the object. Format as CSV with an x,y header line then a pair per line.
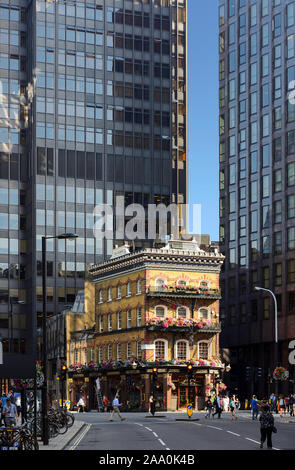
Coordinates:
x,y
155,308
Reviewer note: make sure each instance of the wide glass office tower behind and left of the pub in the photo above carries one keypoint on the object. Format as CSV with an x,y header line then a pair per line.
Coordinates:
x,y
93,106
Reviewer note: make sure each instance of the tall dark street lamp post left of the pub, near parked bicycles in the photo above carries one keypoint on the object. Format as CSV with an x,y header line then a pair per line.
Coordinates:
x,y
64,236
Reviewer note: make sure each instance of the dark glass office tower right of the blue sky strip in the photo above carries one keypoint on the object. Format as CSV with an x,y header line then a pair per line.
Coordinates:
x,y
257,184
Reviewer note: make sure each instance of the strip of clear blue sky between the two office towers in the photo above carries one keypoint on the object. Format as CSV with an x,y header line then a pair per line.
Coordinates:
x,y
203,111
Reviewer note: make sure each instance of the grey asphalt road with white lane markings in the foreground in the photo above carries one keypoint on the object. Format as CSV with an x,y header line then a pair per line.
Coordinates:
x,y
140,433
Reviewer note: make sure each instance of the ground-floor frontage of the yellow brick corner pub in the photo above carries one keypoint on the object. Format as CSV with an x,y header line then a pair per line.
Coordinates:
x,y
172,390
